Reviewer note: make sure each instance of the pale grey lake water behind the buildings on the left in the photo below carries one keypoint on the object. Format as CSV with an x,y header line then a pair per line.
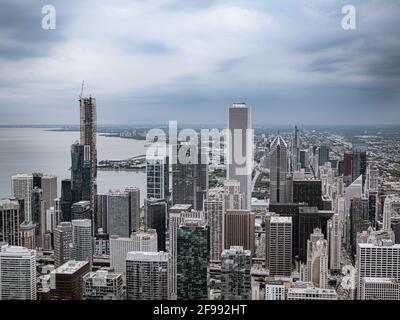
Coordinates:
x,y
27,150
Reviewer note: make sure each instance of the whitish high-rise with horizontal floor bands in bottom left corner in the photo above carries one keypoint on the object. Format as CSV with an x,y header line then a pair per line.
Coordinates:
x,y
17,273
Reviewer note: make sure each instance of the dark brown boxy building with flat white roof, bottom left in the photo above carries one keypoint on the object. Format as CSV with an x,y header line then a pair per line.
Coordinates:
x,y
66,282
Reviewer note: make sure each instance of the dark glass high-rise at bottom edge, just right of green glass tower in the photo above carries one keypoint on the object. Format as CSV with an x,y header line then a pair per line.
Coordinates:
x,y
235,274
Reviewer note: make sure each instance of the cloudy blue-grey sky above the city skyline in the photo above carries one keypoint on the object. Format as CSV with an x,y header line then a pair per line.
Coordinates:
x,y
157,60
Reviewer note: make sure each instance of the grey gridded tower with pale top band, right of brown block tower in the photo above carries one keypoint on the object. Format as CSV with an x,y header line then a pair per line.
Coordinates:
x,y
278,235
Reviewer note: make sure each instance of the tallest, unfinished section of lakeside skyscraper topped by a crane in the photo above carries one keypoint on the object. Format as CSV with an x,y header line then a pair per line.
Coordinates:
x,y
88,130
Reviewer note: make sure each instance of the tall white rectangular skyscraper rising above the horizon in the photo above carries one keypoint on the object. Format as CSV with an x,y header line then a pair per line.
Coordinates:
x,y
240,148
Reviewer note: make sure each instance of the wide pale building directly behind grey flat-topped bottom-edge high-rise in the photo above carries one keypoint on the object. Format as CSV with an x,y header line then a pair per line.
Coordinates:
x,y
138,241
